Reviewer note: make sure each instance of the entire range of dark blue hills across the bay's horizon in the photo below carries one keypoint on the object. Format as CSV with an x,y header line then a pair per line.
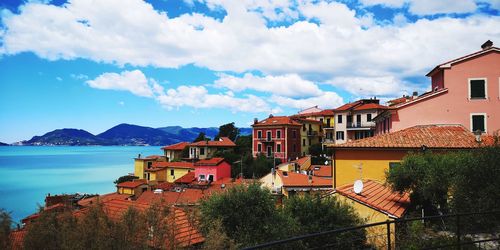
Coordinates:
x,y
124,134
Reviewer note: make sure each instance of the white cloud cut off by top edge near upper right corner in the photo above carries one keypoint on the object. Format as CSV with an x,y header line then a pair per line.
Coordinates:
x,y
430,7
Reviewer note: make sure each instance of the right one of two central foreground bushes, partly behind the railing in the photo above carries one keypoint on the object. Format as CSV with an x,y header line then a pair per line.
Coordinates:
x,y
314,214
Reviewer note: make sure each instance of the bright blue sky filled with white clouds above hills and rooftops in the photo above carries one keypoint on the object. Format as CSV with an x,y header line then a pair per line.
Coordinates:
x,y
93,64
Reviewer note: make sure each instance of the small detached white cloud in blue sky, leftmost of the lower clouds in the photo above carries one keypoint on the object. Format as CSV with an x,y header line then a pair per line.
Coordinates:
x,y
133,81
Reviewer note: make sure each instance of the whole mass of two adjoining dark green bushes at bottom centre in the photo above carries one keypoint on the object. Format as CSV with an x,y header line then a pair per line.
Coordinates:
x,y
249,216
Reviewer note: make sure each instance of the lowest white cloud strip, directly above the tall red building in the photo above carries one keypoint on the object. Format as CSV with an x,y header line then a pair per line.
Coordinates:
x,y
326,100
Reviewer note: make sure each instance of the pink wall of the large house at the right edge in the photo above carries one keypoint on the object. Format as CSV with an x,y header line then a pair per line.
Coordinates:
x,y
455,107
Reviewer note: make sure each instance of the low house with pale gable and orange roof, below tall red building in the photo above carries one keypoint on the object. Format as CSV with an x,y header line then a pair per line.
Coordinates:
x,y
289,183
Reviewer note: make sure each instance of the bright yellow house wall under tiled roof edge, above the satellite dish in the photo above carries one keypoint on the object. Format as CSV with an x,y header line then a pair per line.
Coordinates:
x,y
374,164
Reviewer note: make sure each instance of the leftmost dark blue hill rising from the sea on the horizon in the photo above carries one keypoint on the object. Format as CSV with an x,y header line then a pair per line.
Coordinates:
x,y
66,136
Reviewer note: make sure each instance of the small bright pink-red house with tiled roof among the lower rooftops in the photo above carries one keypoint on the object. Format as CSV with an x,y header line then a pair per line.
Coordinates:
x,y
212,169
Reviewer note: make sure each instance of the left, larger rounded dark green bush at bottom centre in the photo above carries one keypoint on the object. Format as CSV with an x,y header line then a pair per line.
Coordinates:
x,y
248,215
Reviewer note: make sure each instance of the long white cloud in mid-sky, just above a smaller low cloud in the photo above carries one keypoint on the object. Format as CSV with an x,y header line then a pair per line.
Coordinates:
x,y
291,85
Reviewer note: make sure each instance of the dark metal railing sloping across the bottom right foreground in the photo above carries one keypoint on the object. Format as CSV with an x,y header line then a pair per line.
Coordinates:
x,y
480,230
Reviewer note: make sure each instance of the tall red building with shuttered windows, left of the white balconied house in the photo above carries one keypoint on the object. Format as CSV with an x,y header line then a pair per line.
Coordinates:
x,y
278,137
